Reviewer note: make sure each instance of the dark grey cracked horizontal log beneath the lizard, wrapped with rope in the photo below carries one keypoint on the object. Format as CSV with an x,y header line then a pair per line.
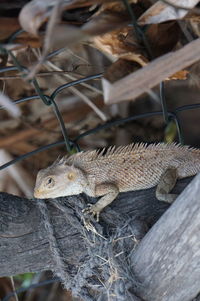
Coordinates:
x,y
24,245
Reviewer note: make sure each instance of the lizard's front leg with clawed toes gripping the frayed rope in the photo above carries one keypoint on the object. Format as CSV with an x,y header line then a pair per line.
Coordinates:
x,y
109,192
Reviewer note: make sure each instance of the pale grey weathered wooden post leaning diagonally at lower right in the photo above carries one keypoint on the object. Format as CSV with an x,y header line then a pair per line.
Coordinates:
x,y
167,261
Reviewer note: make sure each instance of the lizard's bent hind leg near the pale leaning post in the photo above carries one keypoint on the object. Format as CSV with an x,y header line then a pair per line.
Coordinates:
x,y
166,184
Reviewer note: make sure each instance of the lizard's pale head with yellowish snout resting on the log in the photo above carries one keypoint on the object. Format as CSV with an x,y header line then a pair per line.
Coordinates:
x,y
59,180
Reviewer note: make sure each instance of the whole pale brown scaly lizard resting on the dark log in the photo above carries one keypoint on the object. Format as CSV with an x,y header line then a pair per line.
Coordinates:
x,y
119,169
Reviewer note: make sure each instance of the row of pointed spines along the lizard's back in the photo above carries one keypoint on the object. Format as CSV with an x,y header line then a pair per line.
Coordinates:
x,y
121,150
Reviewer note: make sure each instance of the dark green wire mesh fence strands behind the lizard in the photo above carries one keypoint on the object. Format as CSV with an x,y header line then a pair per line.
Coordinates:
x,y
49,100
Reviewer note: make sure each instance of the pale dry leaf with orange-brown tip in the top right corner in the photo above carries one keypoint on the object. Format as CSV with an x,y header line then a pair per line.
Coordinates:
x,y
161,12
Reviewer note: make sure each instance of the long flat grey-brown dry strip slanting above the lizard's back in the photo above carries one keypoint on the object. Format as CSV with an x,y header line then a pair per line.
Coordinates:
x,y
139,82
